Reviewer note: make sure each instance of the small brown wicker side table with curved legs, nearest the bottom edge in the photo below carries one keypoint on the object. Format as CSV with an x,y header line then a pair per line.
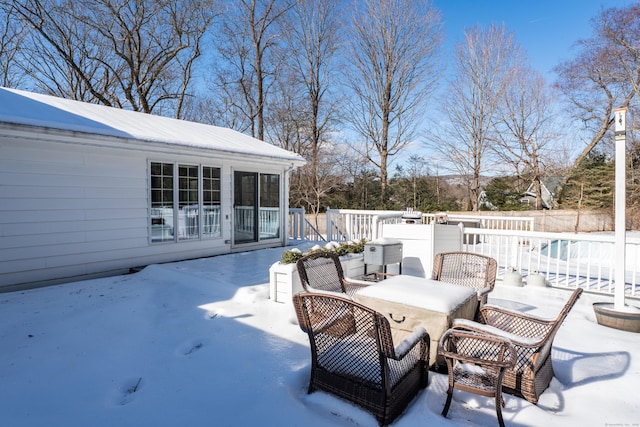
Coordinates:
x,y
476,363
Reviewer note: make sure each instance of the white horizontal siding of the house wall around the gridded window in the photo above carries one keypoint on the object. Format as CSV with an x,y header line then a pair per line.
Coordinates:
x,y
72,210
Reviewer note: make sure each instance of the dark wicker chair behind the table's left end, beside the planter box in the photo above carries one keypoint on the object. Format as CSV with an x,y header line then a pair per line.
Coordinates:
x,y
322,271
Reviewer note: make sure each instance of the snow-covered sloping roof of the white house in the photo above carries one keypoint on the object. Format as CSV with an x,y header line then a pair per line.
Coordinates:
x,y
32,109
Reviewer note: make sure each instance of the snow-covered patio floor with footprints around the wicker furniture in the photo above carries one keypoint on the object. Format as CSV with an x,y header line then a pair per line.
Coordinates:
x,y
199,343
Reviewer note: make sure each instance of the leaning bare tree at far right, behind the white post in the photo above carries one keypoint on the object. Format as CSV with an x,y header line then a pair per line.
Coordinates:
x,y
604,75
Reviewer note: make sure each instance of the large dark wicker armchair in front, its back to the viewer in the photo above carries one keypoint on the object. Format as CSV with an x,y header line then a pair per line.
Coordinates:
x,y
353,356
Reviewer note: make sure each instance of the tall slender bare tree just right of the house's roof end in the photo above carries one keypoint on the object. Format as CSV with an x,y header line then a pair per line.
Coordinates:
x,y
313,36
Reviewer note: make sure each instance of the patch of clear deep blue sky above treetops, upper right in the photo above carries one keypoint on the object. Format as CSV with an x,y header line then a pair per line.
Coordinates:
x,y
547,29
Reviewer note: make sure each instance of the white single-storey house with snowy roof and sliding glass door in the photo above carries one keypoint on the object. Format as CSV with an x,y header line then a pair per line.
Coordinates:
x,y
88,190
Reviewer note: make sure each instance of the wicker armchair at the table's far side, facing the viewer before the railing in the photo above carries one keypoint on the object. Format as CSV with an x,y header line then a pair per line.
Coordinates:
x,y
468,269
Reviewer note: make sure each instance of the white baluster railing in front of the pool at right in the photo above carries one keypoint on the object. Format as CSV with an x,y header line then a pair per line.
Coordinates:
x,y
565,259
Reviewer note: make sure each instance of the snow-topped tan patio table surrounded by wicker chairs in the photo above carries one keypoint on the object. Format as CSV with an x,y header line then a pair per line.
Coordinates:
x,y
409,301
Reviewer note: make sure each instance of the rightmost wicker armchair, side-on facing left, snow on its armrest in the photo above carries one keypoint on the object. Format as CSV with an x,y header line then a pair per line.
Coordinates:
x,y
532,337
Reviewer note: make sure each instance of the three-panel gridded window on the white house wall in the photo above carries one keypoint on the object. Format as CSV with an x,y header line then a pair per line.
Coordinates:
x,y
196,194
